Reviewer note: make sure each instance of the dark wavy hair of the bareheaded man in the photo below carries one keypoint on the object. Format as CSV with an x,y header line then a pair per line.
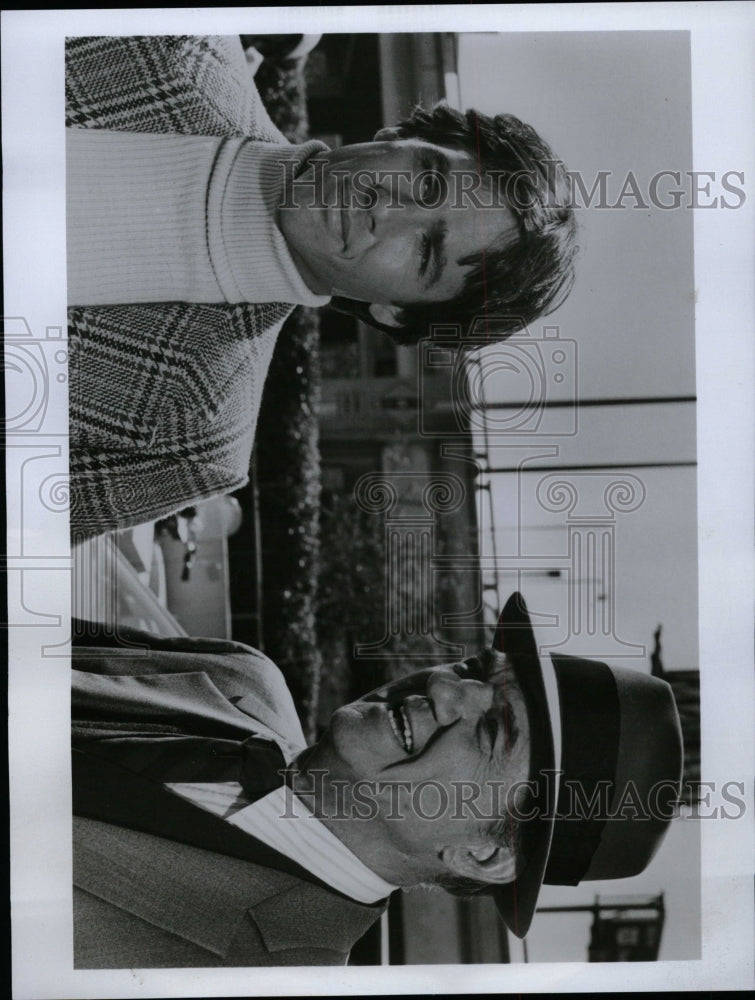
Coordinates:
x,y
512,284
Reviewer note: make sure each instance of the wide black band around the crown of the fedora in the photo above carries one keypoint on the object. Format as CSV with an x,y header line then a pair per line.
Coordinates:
x,y
590,732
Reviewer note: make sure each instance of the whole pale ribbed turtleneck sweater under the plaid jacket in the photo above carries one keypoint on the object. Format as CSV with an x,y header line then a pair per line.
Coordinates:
x,y
179,218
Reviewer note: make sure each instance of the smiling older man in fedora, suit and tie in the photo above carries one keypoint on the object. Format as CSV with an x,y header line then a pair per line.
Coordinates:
x,y
208,835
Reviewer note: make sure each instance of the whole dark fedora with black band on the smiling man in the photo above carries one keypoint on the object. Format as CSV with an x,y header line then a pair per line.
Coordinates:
x,y
606,765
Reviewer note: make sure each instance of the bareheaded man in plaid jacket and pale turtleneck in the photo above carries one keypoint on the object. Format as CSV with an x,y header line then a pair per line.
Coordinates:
x,y
194,228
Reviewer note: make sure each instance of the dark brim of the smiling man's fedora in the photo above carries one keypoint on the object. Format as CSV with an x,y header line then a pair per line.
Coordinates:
x,y
516,901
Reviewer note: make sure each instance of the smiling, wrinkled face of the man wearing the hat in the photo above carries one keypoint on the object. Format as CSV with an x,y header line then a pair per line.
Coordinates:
x,y
422,745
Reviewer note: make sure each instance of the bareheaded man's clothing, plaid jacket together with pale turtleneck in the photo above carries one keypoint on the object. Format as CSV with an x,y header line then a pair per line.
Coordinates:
x,y
164,388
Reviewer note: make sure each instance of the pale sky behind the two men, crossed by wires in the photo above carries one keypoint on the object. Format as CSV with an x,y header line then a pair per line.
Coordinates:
x,y
619,103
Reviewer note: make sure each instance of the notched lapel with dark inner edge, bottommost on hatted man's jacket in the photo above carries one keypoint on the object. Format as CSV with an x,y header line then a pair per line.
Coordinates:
x,y
193,877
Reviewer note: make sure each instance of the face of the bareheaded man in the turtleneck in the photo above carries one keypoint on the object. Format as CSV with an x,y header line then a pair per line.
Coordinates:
x,y
388,221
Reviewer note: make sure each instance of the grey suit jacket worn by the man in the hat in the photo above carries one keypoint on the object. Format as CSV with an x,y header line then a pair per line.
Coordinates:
x,y
143,901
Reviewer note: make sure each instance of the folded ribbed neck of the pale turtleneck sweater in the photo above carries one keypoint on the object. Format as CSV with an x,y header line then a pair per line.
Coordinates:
x,y
249,254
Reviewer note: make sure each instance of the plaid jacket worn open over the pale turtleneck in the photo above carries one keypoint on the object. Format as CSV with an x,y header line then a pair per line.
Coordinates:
x,y
163,398
